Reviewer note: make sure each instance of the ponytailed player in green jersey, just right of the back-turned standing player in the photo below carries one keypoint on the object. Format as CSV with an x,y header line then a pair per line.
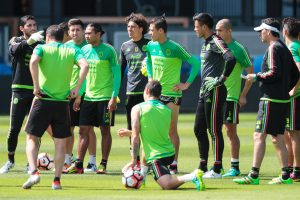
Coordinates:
x,y
102,88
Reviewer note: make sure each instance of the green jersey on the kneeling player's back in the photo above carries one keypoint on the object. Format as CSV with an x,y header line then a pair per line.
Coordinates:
x,y
155,120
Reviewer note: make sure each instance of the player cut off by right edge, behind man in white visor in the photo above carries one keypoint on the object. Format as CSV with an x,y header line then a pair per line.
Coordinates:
x,y
290,33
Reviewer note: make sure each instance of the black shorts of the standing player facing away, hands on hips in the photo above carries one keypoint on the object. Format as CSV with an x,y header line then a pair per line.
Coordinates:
x,y
44,113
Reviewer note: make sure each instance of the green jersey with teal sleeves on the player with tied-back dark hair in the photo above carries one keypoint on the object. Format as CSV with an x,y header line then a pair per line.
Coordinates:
x,y
104,76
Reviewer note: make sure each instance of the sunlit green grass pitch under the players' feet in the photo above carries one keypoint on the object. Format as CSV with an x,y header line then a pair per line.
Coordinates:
x,y
93,186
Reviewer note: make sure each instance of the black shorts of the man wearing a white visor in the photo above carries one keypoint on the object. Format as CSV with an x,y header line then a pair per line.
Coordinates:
x,y
271,117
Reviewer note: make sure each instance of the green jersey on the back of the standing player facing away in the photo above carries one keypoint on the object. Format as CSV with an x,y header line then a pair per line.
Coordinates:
x,y
55,68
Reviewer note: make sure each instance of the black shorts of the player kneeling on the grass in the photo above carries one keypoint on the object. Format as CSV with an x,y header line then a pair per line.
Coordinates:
x,y
160,167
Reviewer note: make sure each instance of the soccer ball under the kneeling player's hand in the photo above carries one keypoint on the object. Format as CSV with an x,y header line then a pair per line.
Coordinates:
x,y
132,179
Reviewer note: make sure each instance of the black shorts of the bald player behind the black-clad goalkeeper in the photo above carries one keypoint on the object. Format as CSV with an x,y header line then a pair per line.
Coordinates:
x,y
231,112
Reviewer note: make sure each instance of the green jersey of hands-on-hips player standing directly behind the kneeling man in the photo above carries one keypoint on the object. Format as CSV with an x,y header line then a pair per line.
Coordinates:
x,y
164,61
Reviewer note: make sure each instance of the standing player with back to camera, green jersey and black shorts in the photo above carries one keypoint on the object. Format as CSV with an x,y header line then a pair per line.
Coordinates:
x,y
51,68
